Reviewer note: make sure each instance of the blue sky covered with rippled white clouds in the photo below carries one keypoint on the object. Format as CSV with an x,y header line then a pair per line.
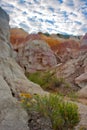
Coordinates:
x,y
48,16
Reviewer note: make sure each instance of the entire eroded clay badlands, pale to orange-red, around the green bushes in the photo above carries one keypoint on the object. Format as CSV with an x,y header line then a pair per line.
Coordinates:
x,y
36,52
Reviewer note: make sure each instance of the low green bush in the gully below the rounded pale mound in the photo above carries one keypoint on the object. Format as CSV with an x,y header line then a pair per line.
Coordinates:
x,y
48,80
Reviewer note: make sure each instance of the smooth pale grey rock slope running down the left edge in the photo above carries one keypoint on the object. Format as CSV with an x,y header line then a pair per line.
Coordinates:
x,y
12,83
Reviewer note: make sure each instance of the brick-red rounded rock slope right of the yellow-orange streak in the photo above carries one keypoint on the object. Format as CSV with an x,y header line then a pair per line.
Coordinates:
x,y
68,49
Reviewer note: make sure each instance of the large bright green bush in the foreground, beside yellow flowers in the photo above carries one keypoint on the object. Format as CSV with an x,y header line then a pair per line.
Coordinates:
x,y
63,115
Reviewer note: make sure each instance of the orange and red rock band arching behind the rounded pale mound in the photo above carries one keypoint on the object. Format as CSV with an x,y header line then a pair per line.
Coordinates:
x,y
64,49
